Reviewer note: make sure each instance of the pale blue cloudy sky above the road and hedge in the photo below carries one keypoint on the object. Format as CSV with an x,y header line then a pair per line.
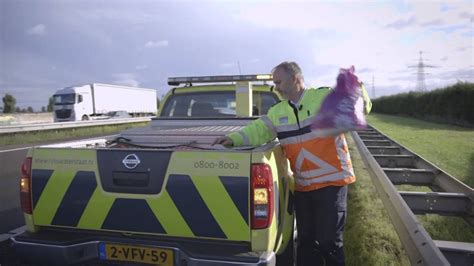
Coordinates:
x,y
46,45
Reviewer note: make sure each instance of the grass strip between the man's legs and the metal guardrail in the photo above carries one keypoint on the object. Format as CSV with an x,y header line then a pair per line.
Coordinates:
x,y
369,237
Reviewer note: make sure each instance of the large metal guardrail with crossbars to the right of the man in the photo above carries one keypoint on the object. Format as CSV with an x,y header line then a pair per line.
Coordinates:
x,y
392,164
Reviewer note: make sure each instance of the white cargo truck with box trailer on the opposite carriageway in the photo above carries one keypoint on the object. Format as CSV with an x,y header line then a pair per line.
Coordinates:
x,y
94,101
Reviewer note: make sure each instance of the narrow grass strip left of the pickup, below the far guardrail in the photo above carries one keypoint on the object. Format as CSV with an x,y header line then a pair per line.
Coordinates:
x,y
63,134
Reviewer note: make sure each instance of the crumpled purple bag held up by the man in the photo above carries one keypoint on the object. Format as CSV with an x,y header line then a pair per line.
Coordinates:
x,y
343,109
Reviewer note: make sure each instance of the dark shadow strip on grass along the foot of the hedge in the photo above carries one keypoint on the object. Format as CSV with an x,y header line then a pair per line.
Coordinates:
x,y
416,123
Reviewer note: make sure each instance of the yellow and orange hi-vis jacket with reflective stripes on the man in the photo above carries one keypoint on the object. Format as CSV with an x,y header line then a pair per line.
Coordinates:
x,y
316,162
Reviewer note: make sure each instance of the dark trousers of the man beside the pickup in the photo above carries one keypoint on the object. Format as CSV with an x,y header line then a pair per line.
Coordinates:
x,y
320,219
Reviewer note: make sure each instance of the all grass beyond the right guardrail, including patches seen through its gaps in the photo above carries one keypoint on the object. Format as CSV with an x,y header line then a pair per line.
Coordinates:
x,y
451,148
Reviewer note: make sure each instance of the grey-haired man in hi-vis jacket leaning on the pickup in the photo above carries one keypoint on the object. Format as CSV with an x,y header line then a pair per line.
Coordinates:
x,y
321,165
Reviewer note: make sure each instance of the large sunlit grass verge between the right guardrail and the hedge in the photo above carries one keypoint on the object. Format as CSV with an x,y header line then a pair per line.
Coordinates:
x,y
451,148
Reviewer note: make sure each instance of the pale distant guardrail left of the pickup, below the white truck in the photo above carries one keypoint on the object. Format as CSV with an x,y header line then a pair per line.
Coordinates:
x,y
65,125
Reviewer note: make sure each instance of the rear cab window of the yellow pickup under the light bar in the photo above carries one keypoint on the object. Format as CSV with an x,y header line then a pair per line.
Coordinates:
x,y
214,104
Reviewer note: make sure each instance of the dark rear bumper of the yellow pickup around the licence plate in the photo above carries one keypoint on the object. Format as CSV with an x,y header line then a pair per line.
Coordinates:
x,y
71,248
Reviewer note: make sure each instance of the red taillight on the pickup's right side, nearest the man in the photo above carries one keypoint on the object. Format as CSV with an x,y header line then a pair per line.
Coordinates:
x,y
262,196
